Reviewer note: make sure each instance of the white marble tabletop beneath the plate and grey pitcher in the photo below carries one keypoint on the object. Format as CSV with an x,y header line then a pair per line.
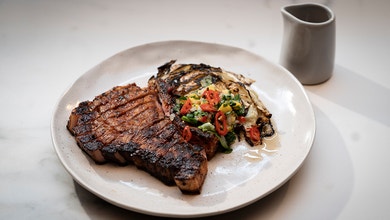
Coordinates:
x,y
46,45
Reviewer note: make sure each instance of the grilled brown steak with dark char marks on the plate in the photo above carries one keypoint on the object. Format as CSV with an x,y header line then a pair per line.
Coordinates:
x,y
126,125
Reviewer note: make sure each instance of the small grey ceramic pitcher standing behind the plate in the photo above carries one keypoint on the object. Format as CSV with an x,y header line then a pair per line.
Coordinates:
x,y
308,47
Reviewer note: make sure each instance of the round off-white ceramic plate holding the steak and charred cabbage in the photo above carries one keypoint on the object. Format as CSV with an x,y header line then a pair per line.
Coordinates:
x,y
234,180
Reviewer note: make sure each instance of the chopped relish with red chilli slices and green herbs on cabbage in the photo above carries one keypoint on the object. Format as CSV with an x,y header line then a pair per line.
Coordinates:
x,y
213,111
